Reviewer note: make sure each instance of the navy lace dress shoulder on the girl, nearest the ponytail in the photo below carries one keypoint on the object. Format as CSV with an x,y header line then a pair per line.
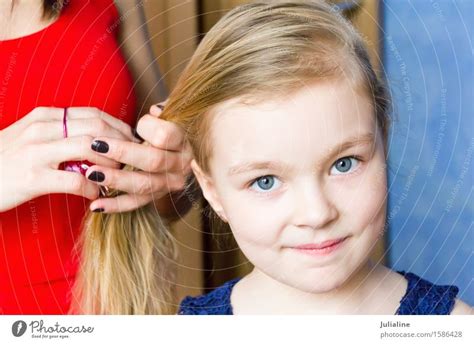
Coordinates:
x,y
212,303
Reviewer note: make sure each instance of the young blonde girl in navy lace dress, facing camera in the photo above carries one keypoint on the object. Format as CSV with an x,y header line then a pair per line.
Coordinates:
x,y
288,124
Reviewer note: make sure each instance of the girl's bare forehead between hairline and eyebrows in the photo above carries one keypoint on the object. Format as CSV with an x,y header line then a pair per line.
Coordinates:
x,y
309,122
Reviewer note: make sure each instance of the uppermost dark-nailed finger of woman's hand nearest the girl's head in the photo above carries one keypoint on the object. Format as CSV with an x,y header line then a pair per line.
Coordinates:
x,y
143,157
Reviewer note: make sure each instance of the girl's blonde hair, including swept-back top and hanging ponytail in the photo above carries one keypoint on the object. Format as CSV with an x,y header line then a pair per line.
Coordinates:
x,y
254,53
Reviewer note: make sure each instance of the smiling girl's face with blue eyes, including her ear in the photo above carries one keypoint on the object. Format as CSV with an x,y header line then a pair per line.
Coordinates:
x,y
301,182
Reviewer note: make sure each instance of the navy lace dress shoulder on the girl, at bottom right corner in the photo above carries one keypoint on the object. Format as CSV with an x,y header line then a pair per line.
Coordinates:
x,y
425,297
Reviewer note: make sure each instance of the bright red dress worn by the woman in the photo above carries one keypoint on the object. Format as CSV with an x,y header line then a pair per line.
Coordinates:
x,y
75,61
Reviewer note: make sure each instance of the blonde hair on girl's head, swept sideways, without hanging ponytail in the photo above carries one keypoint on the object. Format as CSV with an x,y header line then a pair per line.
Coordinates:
x,y
266,50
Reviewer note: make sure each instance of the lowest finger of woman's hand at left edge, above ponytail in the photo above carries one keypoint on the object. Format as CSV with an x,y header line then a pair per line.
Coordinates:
x,y
55,181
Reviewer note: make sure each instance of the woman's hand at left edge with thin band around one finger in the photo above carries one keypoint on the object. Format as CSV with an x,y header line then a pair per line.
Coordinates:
x,y
32,149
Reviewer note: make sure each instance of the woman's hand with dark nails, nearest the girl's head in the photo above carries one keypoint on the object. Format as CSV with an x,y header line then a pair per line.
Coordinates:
x,y
163,159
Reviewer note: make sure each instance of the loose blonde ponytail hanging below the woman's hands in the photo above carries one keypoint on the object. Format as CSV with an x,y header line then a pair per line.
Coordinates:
x,y
125,264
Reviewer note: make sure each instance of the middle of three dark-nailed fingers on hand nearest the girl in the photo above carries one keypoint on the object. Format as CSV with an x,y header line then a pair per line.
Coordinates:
x,y
137,182
